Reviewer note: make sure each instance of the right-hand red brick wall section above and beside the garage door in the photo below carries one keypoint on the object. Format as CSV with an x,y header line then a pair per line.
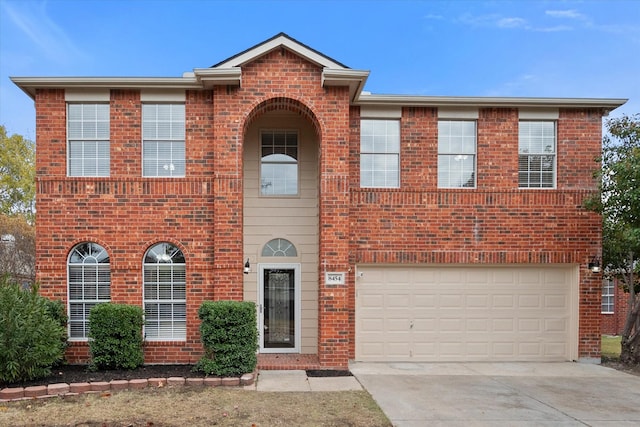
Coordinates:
x,y
495,224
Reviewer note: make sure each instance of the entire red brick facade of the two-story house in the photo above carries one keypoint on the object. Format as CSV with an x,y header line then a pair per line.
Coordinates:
x,y
202,213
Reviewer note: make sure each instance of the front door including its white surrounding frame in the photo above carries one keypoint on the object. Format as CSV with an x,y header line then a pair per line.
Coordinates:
x,y
279,310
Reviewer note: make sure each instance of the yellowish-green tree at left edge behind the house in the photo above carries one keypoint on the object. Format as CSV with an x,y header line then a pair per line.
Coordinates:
x,y
17,175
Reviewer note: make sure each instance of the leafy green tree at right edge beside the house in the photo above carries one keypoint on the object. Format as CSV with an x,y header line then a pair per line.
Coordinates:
x,y
619,204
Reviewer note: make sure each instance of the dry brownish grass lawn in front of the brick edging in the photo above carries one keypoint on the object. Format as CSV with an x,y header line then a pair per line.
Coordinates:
x,y
204,407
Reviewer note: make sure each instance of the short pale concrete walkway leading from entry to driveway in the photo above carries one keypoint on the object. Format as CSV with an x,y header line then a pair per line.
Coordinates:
x,y
298,381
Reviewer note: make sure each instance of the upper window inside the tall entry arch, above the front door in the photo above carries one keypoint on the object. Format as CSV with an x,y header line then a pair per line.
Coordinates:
x,y
279,163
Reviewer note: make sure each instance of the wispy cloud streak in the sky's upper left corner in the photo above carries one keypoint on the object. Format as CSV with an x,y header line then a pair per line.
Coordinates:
x,y
32,19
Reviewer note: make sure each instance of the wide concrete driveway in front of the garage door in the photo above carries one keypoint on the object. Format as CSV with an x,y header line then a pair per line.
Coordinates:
x,y
505,394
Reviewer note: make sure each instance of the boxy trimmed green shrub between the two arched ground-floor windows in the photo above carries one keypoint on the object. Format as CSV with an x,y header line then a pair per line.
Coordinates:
x,y
115,336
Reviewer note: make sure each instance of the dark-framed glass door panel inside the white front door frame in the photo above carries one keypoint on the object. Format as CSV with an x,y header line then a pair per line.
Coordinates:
x,y
279,308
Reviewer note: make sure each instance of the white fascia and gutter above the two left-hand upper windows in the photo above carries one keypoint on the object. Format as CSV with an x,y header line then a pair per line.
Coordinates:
x,y
30,84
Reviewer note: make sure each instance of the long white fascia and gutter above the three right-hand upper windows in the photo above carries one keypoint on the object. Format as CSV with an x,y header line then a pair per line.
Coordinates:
x,y
460,101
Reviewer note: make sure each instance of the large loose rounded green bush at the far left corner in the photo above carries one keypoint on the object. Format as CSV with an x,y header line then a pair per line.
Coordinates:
x,y
31,340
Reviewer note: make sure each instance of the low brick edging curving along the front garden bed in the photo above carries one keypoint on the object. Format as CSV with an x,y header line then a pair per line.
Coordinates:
x,y
9,394
